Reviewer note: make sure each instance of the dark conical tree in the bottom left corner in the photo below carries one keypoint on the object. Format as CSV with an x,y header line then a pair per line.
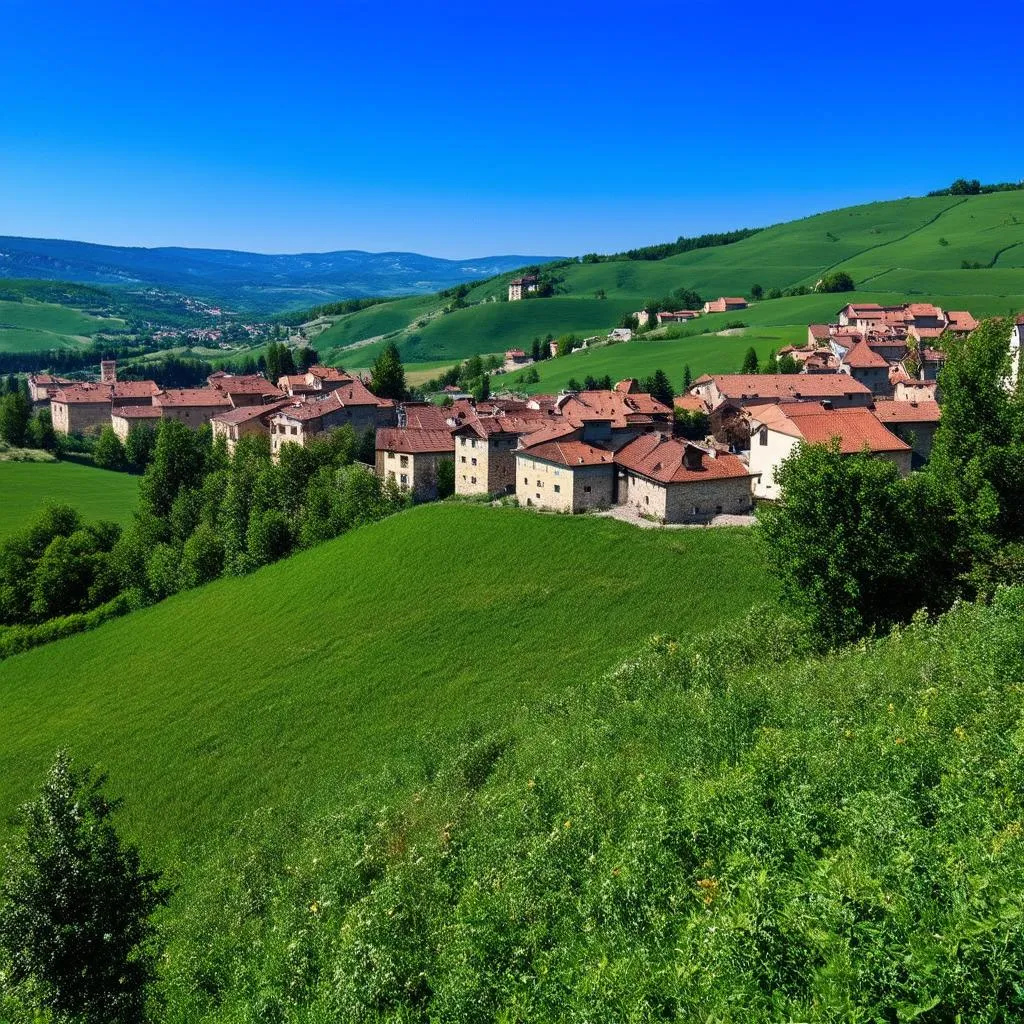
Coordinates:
x,y
76,907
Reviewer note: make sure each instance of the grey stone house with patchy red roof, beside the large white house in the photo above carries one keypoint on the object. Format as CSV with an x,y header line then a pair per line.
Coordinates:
x,y
678,482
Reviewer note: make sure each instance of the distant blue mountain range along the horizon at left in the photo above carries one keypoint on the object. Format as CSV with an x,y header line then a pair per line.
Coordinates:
x,y
250,281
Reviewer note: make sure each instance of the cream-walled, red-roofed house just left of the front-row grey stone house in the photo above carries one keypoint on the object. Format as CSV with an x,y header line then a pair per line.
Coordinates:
x,y
565,476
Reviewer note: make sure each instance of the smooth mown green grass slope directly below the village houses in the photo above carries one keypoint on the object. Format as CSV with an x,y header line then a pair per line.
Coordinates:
x,y
285,689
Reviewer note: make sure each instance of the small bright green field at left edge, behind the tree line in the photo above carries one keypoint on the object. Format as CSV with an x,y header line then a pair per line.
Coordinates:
x,y
98,494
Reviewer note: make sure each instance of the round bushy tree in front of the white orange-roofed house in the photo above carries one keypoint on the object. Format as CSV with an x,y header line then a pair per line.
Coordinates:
x,y
843,542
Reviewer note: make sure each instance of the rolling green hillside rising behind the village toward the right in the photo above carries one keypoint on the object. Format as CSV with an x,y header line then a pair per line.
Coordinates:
x,y
909,249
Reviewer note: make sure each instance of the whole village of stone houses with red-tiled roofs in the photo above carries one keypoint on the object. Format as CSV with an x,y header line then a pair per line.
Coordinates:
x,y
869,380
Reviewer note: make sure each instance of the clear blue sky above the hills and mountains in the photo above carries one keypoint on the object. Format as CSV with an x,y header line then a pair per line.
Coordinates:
x,y
475,130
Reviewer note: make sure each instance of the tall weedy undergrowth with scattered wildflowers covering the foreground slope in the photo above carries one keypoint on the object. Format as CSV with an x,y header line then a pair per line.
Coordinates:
x,y
721,830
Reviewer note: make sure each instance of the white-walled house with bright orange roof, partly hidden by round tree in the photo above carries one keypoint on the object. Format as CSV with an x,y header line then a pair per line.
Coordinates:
x,y
777,430
